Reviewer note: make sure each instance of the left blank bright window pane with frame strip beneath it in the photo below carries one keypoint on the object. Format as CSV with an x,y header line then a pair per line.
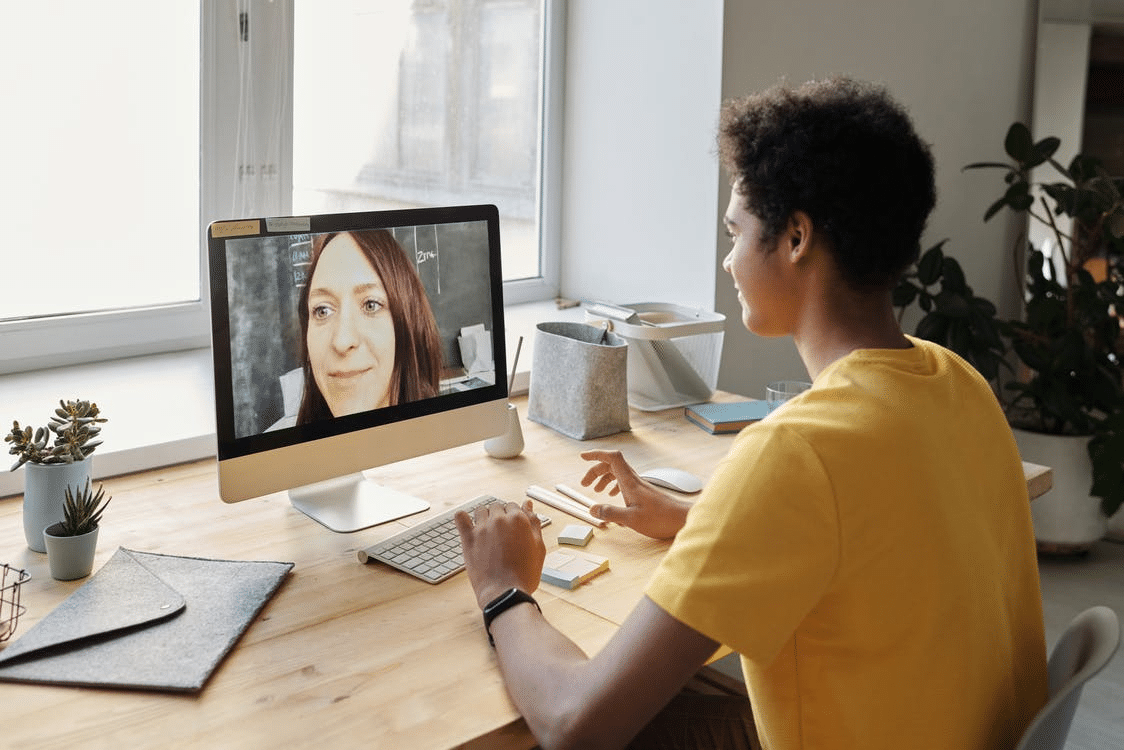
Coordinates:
x,y
101,176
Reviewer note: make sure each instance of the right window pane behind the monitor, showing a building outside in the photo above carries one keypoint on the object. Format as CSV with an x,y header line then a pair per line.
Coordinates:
x,y
422,103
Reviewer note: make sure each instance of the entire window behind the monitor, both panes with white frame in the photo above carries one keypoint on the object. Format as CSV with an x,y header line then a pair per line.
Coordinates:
x,y
295,106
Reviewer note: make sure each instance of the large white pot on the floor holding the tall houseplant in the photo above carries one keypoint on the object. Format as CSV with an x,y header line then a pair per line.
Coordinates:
x,y
1067,520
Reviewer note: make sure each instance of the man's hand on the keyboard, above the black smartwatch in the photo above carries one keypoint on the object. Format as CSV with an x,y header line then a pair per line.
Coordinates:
x,y
503,548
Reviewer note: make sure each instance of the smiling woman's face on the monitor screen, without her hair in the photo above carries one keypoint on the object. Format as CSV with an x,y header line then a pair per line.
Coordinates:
x,y
351,336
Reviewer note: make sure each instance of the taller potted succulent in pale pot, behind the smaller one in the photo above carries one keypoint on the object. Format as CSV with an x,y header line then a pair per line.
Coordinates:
x,y
58,457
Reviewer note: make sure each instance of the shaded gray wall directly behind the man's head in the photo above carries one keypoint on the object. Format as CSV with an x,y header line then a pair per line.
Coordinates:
x,y
963,68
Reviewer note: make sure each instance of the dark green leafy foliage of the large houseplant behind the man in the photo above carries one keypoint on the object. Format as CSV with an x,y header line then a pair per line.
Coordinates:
x,y
1068,344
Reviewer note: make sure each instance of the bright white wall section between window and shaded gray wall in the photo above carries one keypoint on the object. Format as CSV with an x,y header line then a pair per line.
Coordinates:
x,y
642,95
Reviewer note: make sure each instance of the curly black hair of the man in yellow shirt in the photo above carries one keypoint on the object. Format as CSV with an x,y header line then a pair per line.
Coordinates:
x,y
844,152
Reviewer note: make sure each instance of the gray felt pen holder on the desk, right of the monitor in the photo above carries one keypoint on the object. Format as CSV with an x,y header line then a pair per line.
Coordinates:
x,y
579,385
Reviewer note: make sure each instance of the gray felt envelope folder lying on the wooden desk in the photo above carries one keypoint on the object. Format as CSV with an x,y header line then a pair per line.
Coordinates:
x,y
146,621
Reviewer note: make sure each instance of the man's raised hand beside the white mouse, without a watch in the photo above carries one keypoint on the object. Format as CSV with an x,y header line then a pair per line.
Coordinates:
x,y
649,511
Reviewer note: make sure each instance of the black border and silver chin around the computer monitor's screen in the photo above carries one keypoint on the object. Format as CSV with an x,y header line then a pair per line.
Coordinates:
x,y
368,432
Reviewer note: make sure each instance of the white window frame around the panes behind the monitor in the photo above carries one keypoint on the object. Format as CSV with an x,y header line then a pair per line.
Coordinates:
x,y
69,340
